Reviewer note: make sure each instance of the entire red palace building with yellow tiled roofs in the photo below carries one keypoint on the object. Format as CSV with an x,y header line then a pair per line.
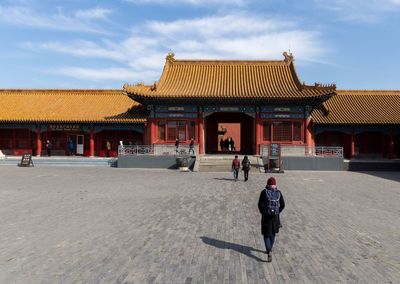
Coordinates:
x,y
266,99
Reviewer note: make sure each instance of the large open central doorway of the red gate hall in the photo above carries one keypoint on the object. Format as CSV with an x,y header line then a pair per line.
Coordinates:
x,y
238,126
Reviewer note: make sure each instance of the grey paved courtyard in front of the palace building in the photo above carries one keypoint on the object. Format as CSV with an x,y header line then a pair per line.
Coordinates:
x,y
107,225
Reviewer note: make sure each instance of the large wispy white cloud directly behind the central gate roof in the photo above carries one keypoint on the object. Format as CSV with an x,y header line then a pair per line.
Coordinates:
x,y
234,36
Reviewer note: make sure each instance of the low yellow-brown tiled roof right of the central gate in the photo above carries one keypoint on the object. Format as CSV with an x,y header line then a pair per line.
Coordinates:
x,y
361,107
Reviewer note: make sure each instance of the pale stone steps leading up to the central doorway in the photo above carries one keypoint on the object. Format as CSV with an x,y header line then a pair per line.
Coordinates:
x,y
223,163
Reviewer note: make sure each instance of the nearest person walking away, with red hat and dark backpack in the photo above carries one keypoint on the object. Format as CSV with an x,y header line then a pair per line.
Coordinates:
x,y
270,205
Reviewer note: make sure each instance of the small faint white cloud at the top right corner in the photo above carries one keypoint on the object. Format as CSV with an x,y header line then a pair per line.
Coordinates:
x,y
360,10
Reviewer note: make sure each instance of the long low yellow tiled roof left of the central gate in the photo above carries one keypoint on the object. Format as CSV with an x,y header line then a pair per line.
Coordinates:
x,y
102,106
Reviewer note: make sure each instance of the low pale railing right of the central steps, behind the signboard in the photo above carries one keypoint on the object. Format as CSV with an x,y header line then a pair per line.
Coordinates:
x,y
304,151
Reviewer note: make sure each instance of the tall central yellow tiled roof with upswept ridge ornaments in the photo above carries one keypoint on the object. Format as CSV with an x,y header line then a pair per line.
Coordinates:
x,y
228,80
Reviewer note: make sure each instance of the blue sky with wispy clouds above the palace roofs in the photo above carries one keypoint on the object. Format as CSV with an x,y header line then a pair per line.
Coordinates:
x,y
104,44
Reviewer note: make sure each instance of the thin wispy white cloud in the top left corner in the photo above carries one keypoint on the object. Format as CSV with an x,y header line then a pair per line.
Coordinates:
x,y
81,21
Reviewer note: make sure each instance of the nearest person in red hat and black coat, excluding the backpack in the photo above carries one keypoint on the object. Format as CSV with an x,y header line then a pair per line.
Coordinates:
x,y
269,222
